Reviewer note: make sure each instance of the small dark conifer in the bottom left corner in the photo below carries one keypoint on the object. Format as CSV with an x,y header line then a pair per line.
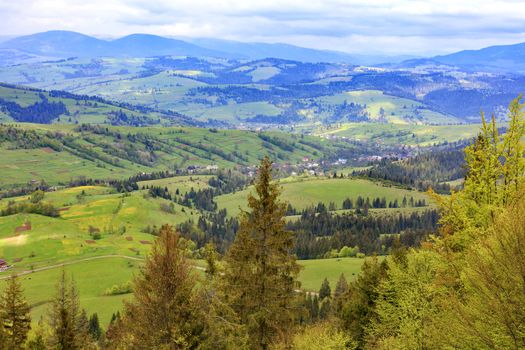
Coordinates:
x,y
14,313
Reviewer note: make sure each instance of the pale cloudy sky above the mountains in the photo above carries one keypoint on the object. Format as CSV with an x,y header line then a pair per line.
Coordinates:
x,y
391,27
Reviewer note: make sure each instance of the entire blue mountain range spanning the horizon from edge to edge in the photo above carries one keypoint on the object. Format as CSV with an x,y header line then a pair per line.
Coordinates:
x,y
64,44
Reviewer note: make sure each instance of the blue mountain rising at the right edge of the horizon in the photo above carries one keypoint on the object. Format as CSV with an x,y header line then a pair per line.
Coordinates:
x,y
494,58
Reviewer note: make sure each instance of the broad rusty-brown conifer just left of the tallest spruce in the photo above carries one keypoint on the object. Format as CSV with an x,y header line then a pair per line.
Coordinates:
x,y
163,312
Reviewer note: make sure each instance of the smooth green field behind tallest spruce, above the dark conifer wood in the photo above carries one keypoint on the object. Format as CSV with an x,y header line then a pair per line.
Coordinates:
x,y
302,193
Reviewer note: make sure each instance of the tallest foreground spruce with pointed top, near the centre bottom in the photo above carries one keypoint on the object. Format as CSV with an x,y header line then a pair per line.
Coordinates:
x,y
261,273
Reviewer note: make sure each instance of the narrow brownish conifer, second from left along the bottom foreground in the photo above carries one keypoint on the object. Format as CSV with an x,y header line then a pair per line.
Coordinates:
x,y
66,317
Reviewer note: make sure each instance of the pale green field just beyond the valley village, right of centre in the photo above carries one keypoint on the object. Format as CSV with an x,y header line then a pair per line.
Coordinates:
x,y
420,135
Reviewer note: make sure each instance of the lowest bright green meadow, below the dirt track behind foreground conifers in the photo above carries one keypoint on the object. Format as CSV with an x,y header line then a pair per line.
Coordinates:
x,y
94,277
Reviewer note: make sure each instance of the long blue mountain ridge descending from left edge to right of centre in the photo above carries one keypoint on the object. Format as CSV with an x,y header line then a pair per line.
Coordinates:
x,y
63,44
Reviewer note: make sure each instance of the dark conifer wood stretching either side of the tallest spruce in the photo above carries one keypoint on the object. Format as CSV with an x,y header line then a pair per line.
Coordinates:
x,y
318,231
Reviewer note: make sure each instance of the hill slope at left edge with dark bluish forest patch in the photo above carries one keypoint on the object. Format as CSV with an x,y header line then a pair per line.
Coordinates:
x,y
22,104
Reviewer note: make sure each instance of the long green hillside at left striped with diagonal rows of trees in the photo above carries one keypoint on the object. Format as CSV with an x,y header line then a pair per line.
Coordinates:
x,y
60,153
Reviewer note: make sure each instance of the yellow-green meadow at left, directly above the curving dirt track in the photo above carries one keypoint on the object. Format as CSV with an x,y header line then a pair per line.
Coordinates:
x,y
32,241
